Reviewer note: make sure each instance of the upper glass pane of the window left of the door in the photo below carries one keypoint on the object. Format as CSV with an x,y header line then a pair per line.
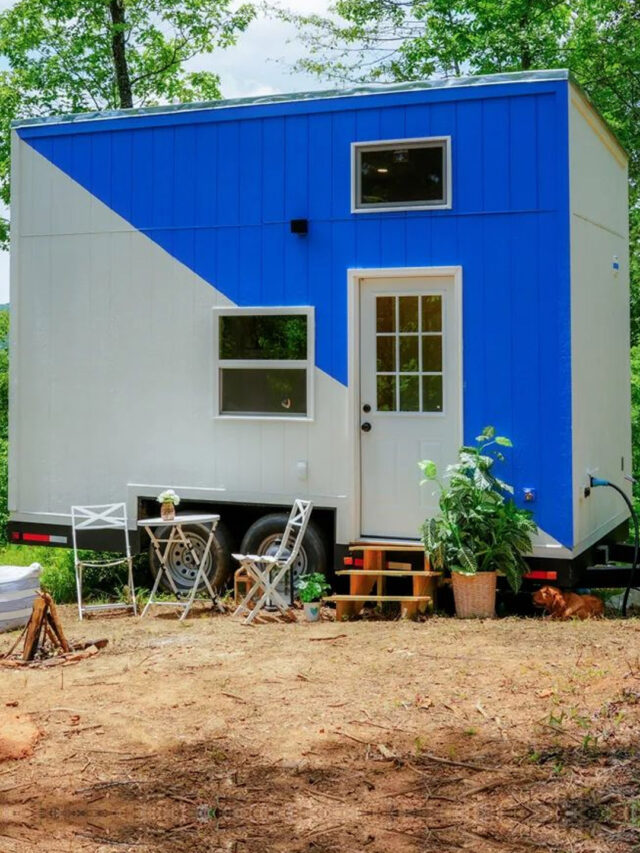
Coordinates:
x,y
264,336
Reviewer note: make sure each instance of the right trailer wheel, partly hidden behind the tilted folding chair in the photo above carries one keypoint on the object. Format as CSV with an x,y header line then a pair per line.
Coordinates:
x,y
265,534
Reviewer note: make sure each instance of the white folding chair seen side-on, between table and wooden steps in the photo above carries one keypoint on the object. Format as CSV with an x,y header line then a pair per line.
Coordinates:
x,y
267,572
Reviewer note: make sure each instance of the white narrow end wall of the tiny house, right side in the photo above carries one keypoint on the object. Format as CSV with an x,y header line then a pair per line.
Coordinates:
x,y
599,321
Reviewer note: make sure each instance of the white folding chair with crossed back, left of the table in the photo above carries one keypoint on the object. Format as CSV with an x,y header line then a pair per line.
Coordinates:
x,y
101,517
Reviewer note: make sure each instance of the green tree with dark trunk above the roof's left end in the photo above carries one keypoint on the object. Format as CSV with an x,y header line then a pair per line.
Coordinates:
x,y
66,56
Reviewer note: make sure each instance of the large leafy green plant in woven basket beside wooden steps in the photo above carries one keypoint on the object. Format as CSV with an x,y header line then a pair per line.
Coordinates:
x,y
479,531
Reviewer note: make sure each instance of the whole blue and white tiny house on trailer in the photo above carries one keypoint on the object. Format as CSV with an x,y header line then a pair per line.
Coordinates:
x,y
302,296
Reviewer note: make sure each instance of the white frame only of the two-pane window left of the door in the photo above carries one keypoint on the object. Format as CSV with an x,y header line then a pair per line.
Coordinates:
x,y
307,364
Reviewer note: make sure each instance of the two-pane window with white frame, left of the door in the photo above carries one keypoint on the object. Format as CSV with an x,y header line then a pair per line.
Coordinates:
x,y
265,361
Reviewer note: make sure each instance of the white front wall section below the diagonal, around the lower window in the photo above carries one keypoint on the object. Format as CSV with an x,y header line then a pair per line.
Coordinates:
x,y
114,371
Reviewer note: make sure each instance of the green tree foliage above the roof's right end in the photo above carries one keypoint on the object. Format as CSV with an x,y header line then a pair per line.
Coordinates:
x,y
396,40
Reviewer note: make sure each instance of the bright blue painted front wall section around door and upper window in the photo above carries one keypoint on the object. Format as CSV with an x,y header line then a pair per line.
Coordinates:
x,y
217,188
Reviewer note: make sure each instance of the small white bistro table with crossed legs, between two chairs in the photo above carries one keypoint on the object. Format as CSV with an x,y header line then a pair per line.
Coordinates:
x,y
162,547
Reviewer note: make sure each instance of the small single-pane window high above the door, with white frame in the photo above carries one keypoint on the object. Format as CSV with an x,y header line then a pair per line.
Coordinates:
x,y
405,174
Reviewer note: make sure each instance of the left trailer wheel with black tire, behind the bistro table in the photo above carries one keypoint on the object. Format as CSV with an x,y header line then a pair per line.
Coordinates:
x,y
180,562
